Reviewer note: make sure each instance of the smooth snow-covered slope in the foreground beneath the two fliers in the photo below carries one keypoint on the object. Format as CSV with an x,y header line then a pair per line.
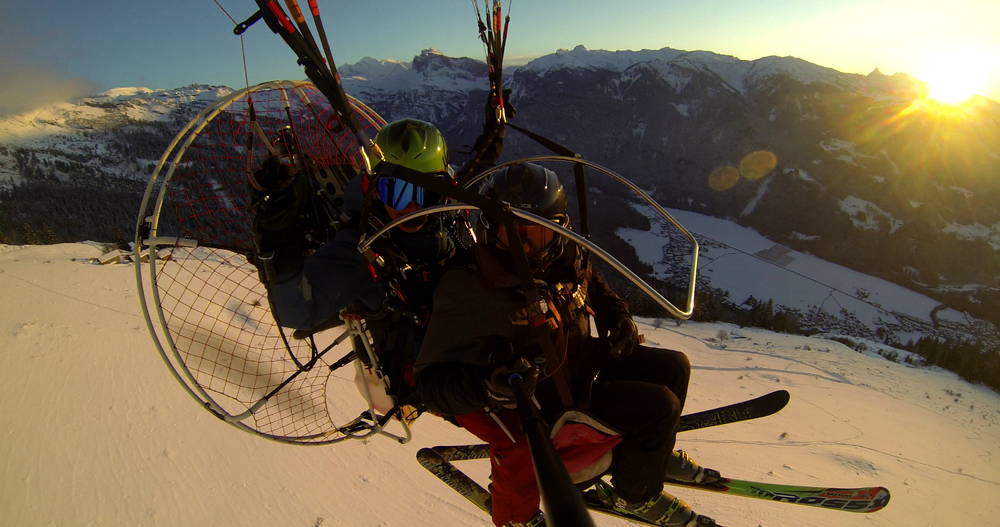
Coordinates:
x,y
96,431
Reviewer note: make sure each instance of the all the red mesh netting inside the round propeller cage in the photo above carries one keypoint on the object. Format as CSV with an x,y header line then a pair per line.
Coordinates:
x,y
214,308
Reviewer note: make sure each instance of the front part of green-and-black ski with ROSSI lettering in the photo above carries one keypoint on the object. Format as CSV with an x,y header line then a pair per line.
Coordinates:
x,y
860,499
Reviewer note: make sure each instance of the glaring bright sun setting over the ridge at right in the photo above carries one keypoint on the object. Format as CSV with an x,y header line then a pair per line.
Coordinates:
x,y
954,77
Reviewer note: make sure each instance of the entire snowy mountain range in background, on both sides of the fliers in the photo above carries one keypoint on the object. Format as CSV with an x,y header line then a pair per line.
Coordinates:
x,y
864,174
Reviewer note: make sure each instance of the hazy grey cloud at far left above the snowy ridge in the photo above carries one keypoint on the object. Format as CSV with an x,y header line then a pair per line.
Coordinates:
x,y
25,88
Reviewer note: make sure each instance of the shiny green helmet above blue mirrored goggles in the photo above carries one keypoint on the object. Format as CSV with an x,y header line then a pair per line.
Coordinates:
x,y
413,144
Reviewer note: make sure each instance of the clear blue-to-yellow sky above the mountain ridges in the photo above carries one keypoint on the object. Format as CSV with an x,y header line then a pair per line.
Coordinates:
x,y
96,45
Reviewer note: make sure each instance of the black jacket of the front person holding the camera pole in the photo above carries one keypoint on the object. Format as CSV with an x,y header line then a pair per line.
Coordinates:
x,y
480,321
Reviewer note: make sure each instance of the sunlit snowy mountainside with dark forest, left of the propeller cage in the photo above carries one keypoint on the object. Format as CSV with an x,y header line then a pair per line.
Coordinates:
x,y
77,171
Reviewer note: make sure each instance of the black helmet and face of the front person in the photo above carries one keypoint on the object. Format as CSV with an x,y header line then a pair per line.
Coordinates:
x,y
537,190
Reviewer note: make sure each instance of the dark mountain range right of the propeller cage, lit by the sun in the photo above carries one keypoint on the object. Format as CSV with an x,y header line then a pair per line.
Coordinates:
x,y
865,172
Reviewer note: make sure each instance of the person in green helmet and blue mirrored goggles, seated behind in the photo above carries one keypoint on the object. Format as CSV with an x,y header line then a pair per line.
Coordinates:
x,y
308,291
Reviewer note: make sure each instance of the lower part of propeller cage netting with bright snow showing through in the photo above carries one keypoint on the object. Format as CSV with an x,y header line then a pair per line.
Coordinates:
x,y
216,311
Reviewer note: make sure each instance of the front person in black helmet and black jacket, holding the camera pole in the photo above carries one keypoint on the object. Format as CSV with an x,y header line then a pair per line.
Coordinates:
x,y
481,332
